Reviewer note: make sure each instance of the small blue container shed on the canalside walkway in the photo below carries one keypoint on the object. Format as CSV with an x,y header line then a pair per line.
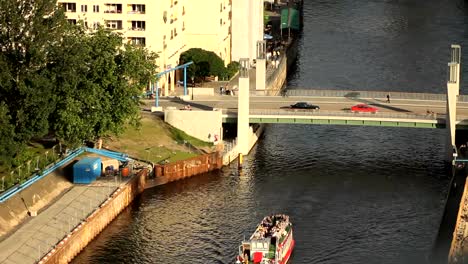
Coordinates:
x,y
87,170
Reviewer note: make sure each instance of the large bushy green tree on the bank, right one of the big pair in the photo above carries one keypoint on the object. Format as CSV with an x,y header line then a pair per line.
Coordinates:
x,y
98,84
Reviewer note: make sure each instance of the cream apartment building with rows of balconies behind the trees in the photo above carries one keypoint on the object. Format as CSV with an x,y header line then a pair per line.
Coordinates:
x,y
167,27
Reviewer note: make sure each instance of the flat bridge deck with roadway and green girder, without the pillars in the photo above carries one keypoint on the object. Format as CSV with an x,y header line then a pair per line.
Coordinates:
x,y
419,110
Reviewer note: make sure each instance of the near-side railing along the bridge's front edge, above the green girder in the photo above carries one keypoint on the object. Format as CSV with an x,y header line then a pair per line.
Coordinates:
x,y
344,113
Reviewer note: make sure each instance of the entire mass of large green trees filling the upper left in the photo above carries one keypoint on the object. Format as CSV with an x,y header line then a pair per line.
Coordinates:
x,y
58,79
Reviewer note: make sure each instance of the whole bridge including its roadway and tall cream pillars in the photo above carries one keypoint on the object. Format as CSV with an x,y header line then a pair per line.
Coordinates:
x,y
420,110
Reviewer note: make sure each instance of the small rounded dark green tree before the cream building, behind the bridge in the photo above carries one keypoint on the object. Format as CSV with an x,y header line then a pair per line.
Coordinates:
x,y
205,63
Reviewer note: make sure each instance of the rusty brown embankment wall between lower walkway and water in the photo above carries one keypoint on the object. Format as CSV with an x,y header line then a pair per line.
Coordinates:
x,y
72,244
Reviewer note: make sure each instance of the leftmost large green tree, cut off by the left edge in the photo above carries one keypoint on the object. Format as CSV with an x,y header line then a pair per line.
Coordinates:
x,y
29,31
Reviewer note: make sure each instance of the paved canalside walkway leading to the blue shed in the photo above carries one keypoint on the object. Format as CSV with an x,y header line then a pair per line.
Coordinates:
x,y
37,236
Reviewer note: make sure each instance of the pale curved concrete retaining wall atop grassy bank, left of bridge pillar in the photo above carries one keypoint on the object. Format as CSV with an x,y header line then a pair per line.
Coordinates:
x,y
204,125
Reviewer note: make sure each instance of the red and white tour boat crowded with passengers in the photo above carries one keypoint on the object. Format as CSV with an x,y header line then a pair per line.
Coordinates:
x,y
271,243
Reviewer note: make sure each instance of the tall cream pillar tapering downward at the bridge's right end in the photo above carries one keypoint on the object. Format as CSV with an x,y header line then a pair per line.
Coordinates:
x,y
453,90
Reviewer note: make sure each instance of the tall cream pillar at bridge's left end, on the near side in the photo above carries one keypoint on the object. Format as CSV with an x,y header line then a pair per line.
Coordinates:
x,y
243,108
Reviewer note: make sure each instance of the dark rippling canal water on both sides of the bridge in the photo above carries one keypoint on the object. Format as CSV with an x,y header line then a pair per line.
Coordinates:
x,y
354,194
